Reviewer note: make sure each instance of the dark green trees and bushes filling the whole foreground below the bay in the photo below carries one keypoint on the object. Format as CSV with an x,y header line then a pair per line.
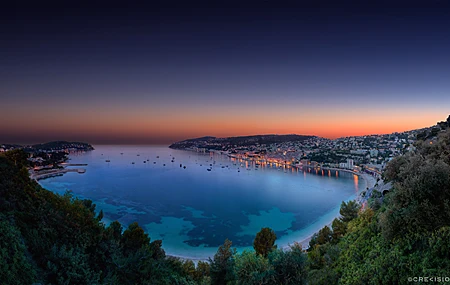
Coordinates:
x,y
53,239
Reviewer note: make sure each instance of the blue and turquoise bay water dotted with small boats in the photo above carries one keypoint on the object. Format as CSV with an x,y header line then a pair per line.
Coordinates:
x,y
194,210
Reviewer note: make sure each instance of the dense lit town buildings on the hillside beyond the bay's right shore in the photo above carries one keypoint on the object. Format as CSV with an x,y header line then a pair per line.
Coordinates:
x,y
370,153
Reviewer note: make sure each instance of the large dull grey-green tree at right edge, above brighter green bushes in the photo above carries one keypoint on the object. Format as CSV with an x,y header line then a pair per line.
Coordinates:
x,y
420,200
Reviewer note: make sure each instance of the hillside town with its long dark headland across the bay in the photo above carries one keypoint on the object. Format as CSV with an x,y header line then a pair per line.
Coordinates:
x,y
368,153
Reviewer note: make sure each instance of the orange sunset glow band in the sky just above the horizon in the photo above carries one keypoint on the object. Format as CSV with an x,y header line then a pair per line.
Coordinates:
x,y
178,123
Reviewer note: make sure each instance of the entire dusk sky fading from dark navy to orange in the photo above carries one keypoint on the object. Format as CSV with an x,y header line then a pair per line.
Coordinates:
x,y
157,72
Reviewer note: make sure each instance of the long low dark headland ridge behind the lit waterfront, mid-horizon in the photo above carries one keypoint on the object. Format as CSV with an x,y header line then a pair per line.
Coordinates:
x,y
213,142
